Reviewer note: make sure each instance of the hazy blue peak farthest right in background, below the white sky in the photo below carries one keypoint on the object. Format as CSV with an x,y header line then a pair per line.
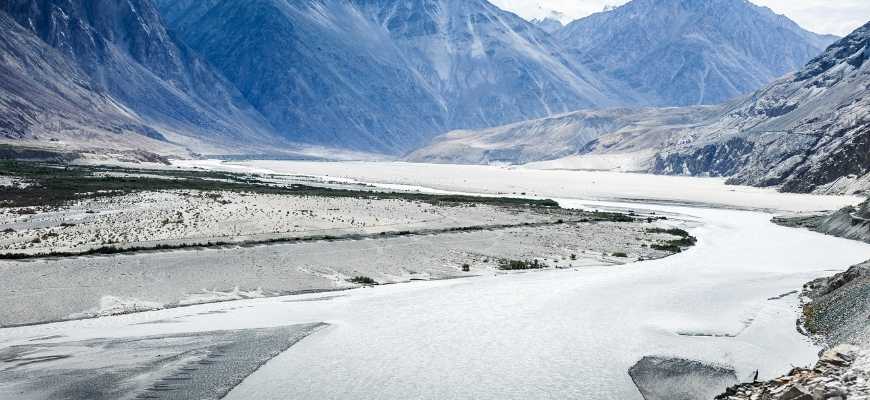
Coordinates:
x,y
689,52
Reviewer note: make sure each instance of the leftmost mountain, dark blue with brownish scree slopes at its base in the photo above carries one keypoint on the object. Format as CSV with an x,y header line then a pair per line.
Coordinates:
x,y
124,71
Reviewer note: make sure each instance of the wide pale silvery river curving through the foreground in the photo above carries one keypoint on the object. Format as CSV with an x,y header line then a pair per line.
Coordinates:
x,y
552,334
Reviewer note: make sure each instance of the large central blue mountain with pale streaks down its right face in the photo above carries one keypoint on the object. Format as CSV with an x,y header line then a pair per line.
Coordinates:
x,y
385,75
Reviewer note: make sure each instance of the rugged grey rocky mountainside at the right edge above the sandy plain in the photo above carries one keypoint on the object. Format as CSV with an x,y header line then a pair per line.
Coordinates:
x,y
809,131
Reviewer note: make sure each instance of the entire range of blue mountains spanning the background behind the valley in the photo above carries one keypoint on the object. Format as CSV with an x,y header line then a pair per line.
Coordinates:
x,y
383,76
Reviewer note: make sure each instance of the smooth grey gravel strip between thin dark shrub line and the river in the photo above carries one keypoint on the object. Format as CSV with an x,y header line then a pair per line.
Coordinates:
x,y
74,287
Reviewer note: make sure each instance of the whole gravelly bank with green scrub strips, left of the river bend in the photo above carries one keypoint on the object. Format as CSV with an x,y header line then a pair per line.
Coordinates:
x,y
172,238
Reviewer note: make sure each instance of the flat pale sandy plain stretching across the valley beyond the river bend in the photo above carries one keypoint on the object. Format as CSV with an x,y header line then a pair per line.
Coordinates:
x,y
512,181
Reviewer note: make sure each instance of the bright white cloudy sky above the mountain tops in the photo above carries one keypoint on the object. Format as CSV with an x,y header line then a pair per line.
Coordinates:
x,y
821,16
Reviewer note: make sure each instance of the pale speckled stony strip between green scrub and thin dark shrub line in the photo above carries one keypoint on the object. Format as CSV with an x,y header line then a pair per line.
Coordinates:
x,y
150,218
